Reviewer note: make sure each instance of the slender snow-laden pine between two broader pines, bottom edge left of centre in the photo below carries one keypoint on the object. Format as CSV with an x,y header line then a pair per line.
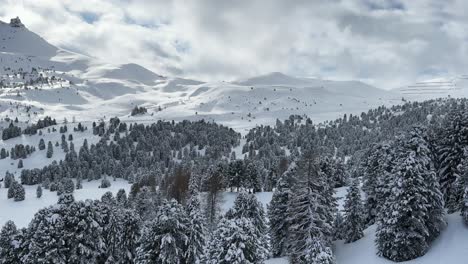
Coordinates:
x,y
197,231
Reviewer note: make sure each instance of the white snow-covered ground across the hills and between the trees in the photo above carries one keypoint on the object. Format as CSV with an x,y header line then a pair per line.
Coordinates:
x,y
90,89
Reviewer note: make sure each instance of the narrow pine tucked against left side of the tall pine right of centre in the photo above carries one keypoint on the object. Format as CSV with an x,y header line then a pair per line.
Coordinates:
x,y
277,212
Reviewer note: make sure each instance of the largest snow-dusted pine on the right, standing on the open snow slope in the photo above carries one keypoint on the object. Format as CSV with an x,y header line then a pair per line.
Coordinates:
x,y
406,225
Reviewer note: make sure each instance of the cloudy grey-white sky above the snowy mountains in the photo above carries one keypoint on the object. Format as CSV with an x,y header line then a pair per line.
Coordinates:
x,y
387,43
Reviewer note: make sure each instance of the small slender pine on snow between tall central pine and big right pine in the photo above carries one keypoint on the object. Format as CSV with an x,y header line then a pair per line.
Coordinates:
x,y
353,224
